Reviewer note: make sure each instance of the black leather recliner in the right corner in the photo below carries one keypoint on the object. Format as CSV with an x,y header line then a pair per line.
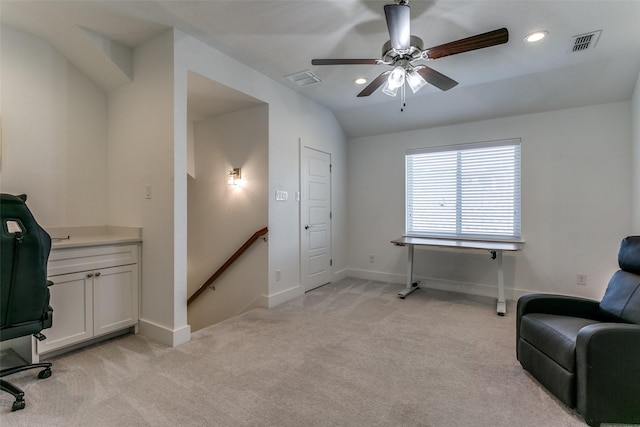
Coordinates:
x,y
585,352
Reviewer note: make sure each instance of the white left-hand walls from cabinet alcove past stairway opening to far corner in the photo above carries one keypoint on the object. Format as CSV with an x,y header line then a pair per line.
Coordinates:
x,y
86,158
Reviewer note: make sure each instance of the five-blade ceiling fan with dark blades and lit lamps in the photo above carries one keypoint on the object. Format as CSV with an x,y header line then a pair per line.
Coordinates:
x,y
403,52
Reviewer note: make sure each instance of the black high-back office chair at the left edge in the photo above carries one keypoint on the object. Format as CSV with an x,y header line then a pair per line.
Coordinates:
x,y
24,297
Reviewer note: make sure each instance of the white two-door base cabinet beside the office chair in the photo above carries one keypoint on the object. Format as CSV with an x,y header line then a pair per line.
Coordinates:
x,y
95,292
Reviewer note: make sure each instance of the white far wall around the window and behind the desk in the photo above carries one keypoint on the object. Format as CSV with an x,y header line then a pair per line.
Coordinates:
x,y
576,204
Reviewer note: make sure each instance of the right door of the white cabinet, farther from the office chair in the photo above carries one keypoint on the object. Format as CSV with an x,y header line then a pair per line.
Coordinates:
x,y
115,298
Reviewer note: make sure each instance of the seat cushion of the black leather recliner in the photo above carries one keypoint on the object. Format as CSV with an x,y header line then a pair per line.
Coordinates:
x,y
554,335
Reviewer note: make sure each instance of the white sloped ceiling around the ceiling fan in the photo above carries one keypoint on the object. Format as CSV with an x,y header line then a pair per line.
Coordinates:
x,y
278,38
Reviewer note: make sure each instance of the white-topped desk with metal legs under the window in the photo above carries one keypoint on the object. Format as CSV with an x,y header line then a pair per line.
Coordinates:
x,y
495,248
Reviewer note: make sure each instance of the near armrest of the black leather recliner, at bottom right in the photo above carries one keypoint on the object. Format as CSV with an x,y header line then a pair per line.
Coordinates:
x,y
608,368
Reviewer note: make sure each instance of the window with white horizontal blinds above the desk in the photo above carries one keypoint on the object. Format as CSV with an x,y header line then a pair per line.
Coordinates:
x,y
464,191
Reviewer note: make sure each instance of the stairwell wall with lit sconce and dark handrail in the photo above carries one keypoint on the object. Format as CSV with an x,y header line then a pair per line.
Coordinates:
x,y
222,217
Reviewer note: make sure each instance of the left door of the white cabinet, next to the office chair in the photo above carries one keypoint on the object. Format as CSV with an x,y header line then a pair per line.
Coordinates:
x,y
72,302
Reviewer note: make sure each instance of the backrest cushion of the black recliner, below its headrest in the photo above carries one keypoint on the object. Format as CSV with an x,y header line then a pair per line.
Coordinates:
x,y
621,301
